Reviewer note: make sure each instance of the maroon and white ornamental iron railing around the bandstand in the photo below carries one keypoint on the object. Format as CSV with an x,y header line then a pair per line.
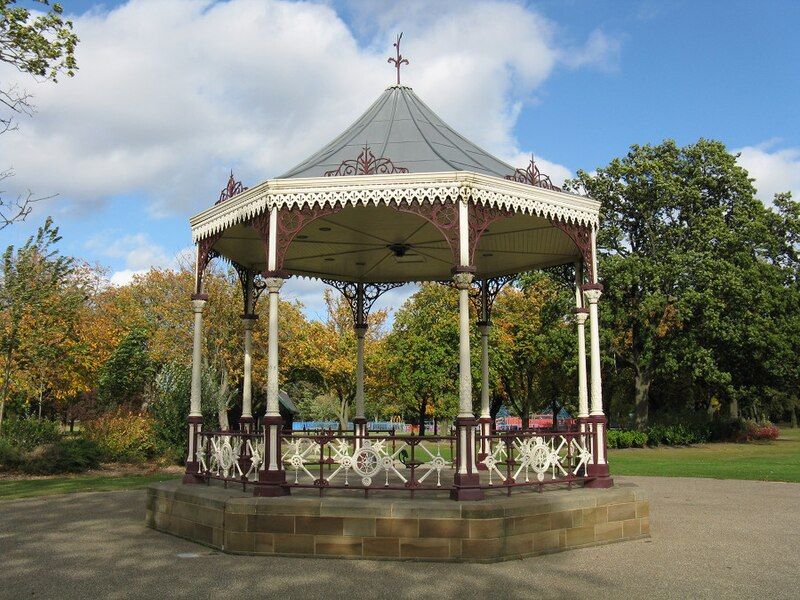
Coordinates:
x,y
328,460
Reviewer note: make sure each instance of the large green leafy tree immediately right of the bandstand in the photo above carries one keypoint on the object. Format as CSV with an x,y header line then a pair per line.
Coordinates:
x,y
688,293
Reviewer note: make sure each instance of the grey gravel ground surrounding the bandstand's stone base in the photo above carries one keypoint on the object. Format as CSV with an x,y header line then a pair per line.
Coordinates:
x,y
710,539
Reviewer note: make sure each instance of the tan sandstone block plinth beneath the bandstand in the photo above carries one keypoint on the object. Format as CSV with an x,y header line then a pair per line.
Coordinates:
x,y
399,528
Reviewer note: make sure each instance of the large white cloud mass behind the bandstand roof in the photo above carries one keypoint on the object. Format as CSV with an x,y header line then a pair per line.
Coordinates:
x,y
171,94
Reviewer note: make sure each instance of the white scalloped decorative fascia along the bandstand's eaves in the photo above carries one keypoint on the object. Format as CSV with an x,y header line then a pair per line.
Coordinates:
x,y
384,189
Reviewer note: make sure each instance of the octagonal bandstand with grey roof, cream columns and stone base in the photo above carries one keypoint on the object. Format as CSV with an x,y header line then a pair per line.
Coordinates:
x,y
399,197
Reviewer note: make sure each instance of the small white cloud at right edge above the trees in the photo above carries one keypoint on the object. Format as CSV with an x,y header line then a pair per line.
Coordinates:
x,y
774,169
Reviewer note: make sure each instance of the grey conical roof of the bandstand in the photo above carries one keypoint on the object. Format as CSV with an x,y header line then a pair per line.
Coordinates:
x,y
400,127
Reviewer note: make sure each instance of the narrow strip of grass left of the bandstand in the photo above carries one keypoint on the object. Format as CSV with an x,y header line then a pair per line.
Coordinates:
x,y
24,488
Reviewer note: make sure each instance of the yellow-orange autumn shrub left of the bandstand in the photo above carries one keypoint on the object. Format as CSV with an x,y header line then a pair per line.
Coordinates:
x,y
123,436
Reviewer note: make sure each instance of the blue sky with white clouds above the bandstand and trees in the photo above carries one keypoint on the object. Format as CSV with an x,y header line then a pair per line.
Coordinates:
x,y
172,94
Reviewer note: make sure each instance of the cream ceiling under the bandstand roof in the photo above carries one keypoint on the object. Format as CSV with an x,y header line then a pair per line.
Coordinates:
x,y
354,245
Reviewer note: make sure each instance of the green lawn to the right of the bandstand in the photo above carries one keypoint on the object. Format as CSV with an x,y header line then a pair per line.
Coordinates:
x,y
766,461
